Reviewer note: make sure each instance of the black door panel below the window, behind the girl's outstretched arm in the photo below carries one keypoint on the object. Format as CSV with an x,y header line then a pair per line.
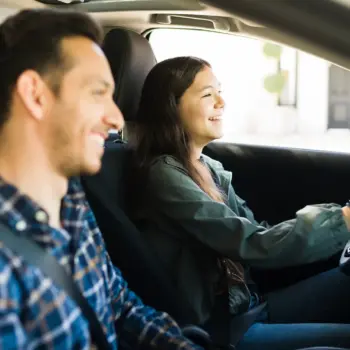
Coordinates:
x,y
277,182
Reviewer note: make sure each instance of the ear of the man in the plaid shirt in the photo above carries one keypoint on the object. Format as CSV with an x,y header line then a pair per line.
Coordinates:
x,y
33,93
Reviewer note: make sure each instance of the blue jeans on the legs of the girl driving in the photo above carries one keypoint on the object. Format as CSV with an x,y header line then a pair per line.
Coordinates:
x,y
313,312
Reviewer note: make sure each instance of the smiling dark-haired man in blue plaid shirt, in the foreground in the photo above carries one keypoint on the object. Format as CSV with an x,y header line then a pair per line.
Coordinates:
x,y
56,108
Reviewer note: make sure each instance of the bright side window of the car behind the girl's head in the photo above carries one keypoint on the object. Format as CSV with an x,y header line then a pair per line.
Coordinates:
x,y
275,95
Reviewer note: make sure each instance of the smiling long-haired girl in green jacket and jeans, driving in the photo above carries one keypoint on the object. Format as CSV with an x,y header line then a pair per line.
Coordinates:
x,y
207,237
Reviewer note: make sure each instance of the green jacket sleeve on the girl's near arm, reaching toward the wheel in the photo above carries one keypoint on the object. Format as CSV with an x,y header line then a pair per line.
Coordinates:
x,y
317,232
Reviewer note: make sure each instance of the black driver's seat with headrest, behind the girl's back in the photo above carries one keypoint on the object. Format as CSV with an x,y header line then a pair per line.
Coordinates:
x,y
131,58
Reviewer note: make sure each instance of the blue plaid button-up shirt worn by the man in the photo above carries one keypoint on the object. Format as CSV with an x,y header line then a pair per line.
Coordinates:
x,y
35,314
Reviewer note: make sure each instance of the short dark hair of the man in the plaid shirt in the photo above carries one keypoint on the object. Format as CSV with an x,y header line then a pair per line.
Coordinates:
x,y
32,39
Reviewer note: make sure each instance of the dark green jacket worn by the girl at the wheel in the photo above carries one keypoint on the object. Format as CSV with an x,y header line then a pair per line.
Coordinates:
x,y
189,230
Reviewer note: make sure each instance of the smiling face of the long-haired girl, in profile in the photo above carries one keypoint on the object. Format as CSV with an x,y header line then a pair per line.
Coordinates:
x,y
201,108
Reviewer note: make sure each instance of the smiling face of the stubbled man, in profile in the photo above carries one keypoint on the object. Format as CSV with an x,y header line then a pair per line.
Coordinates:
x,y
79,118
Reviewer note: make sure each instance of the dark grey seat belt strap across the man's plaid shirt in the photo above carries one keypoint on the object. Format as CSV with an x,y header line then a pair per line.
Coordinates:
x,y
39,257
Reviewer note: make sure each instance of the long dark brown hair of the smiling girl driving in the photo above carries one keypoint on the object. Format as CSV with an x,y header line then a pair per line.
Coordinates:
x,y
158,129
